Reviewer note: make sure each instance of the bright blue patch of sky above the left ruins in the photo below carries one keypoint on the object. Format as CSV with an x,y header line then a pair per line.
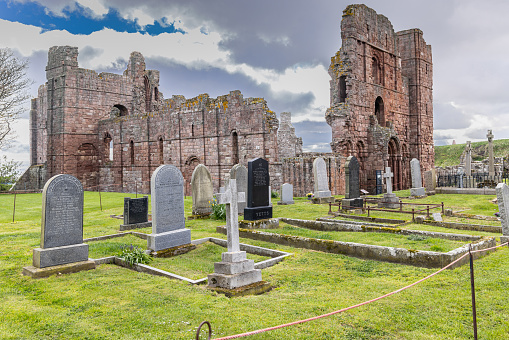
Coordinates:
x,y
78,21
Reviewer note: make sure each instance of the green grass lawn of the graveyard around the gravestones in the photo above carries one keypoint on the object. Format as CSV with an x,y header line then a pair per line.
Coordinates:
x,y
112,302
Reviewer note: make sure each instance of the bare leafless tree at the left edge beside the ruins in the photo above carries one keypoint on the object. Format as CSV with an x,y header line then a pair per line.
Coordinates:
x,y
14,86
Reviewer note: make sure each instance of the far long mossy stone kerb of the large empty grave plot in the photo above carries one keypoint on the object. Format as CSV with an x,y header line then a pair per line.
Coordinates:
x,y
332,225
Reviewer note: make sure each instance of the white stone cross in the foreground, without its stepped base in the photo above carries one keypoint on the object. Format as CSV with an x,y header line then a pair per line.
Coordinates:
x,y
231,198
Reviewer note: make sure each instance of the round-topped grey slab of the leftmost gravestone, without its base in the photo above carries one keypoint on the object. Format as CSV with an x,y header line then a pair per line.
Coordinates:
x,y
62,212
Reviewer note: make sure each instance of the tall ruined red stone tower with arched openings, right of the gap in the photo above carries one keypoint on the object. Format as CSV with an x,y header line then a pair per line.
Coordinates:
x,y
371,99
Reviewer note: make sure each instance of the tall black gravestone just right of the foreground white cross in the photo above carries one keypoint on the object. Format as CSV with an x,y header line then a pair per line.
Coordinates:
x,y
258,179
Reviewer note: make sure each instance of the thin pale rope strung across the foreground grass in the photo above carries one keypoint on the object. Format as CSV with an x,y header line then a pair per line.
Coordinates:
x,y
357,305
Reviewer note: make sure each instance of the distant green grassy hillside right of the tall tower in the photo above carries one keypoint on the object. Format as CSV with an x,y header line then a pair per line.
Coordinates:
x,y
450,154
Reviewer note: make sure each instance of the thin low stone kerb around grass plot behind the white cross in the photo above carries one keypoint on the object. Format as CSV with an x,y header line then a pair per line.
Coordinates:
x,y
276,256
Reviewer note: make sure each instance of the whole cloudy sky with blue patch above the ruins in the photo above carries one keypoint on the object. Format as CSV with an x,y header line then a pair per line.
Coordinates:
x,y
276,49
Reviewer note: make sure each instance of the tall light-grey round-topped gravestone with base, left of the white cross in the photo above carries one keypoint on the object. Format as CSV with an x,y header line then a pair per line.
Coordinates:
x,y
168,220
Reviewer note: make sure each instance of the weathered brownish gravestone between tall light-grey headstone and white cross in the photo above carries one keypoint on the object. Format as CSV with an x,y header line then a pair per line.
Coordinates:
x,y
201,186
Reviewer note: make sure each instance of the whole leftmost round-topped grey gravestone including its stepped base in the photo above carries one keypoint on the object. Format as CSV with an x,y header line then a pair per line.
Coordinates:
x,y
61,227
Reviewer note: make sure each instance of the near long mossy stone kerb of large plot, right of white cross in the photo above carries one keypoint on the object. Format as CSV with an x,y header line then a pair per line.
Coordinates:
x,y
428,259
